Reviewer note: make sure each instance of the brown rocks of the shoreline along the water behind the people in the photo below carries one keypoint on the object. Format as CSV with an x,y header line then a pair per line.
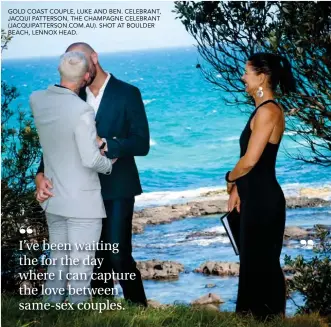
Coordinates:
x,y
211,203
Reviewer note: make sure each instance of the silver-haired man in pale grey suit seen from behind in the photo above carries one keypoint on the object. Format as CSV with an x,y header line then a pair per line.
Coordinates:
x,y
72,161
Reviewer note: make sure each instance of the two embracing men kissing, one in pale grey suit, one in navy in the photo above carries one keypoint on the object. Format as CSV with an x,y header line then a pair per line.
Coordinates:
x,y
91,126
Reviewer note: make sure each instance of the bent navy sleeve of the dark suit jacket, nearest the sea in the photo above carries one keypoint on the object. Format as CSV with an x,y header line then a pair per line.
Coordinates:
x,y
137,141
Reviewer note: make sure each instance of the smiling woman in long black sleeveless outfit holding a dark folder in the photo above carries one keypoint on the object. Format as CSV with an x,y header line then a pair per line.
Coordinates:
x,y
255,192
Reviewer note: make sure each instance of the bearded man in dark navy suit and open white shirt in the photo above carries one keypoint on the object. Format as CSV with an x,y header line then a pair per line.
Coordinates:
x,y
123,133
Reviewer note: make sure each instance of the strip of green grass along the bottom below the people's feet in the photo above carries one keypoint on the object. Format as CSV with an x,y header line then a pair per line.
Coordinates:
x,y
132,316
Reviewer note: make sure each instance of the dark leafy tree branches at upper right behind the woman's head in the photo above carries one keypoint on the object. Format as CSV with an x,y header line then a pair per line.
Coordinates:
x,y
227,33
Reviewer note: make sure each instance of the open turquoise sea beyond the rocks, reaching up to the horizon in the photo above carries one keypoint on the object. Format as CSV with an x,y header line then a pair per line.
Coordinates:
x,y
195,136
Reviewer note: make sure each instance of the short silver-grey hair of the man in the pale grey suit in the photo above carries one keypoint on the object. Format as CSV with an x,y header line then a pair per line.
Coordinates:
x,y
73,66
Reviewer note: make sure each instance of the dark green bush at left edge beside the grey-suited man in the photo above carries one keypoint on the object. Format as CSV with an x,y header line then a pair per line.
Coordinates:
x,y
20,151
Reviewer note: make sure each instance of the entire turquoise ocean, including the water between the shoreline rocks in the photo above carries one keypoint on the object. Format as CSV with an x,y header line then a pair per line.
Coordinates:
x,y
194,141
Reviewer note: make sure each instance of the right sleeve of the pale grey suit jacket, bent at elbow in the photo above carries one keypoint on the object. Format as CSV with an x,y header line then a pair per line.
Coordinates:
x,y
85,137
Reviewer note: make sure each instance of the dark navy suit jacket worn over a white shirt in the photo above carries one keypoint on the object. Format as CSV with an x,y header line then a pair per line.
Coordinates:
x,y
121,120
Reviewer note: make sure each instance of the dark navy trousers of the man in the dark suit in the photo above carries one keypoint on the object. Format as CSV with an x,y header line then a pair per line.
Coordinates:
x,y
117,228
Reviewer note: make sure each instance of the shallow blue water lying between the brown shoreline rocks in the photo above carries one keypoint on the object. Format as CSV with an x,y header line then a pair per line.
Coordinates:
x,y
168,242
